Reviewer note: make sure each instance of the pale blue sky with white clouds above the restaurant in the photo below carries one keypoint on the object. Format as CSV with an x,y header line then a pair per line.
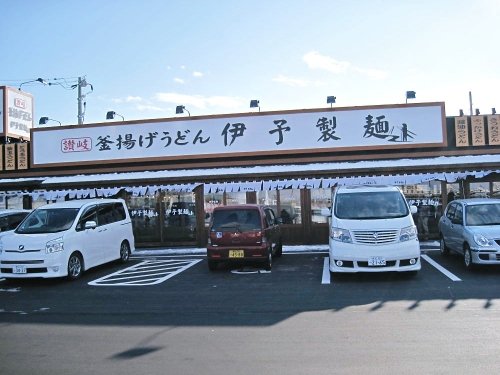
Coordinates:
x,y
141,59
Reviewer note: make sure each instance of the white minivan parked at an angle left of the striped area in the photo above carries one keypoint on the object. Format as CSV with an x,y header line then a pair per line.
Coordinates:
x,y
66,238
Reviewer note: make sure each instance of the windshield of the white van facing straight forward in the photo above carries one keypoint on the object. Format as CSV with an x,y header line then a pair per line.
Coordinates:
x,y
370,205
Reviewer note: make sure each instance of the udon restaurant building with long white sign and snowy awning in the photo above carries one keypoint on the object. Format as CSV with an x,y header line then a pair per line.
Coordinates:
x,y
173,172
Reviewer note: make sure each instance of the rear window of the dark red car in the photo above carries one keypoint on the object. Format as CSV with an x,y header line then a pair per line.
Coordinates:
x,y
239,220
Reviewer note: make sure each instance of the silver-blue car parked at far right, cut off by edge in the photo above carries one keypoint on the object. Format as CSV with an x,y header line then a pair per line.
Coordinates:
x,y
471,228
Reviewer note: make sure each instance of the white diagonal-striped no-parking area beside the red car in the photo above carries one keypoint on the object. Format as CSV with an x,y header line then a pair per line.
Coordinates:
x,y
148,272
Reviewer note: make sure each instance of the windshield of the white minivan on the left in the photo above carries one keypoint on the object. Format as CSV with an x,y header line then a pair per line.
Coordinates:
x,y
48,220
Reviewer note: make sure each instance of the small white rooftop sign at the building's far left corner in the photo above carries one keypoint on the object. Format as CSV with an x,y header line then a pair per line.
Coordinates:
x,y
19,113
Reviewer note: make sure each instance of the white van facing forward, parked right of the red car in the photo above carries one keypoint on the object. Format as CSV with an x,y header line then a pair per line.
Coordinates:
x,y
372,230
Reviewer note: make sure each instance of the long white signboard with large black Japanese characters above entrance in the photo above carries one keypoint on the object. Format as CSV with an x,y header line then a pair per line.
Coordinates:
x,y
272,133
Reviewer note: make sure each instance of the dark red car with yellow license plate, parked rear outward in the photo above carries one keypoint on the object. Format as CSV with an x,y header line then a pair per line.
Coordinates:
x,y
248,232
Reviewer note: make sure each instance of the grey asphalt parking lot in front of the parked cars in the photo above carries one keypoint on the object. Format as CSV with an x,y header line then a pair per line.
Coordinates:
x,y
241,321
